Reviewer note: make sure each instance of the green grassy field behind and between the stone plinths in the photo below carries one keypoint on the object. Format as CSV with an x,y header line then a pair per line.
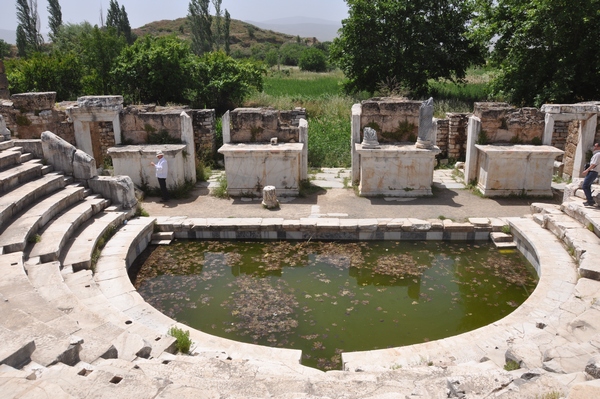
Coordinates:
x,y
329,109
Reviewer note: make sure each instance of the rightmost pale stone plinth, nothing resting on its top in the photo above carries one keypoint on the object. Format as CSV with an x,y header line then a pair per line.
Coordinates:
x,y
516,169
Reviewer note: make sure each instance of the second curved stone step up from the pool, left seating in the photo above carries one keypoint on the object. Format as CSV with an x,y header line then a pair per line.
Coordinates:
x,y
55,235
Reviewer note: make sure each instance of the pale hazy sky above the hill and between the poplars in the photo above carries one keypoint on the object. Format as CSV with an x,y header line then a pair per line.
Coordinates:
x,y
141,12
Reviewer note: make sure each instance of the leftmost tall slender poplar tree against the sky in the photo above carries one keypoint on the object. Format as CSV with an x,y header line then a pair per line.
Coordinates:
x,y
29,38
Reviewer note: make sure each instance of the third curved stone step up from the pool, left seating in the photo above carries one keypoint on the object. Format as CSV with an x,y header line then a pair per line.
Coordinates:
x,y
15,235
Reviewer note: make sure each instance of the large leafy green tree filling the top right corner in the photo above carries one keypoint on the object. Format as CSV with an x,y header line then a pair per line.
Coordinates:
x,y
546,50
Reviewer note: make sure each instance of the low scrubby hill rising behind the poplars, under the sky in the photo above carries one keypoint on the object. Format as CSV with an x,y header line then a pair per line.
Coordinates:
x,y
243,35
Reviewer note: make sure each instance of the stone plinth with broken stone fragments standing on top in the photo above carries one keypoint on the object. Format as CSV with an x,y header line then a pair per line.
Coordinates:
x,y
396,170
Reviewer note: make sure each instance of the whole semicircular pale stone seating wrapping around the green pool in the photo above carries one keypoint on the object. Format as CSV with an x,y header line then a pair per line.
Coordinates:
x,y
74,327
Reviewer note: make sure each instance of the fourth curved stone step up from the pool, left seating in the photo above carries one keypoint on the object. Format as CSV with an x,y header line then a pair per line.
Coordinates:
x,y
15,201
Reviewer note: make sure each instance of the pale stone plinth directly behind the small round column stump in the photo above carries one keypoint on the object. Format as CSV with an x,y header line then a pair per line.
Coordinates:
x,y
250,167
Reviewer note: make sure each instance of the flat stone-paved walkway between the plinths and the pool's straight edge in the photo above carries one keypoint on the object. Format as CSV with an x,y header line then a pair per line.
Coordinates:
x,y
337,199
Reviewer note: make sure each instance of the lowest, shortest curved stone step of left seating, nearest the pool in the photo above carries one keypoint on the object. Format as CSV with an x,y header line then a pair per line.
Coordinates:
x,y
80,249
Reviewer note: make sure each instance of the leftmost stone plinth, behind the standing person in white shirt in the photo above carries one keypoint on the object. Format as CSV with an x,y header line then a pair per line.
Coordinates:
x,y
134,161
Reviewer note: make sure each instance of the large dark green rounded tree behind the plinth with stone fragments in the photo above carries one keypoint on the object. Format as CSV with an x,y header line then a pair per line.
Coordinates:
x,y
410,41
